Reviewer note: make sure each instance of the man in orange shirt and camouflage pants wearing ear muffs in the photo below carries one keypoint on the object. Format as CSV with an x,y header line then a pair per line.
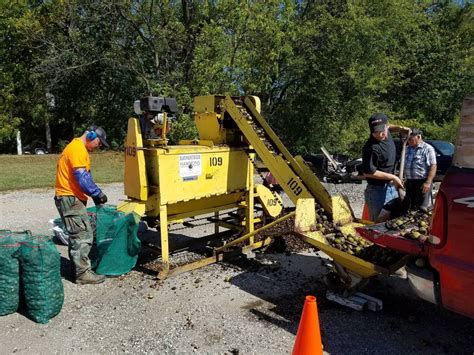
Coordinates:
x,y
74,183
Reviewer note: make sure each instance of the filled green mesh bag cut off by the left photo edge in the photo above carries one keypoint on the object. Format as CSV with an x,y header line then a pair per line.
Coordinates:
x,y
10,243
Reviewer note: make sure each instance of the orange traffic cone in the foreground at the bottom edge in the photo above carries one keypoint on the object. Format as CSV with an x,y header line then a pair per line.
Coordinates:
x,y
308,337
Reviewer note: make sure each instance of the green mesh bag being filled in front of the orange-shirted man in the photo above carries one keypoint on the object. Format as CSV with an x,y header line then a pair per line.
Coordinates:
x,y
117,244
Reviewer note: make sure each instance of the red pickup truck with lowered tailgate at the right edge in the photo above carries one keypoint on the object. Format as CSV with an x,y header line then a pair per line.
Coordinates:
x,y
444,271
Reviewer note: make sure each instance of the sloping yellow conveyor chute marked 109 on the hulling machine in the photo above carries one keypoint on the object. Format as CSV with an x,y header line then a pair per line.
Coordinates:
x,y
288,170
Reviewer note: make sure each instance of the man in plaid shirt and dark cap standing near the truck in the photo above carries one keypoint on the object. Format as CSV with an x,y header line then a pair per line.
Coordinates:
x,y
420,170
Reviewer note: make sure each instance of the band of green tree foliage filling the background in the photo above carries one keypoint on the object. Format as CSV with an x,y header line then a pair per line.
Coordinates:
x,y
320,68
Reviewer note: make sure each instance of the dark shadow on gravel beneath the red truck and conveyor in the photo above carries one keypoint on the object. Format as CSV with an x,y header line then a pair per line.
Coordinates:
x,y
406,325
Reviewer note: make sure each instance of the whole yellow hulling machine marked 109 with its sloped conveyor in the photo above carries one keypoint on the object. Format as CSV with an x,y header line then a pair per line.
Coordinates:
x,y
215,173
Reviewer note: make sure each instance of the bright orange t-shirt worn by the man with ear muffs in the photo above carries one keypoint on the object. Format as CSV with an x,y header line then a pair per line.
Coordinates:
x,y
74,156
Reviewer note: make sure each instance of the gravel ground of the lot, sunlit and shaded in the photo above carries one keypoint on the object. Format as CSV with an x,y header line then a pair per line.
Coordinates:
x,y
251,306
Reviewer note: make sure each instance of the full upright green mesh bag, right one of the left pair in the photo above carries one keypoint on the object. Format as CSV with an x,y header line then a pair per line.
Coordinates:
x,y
41,278
